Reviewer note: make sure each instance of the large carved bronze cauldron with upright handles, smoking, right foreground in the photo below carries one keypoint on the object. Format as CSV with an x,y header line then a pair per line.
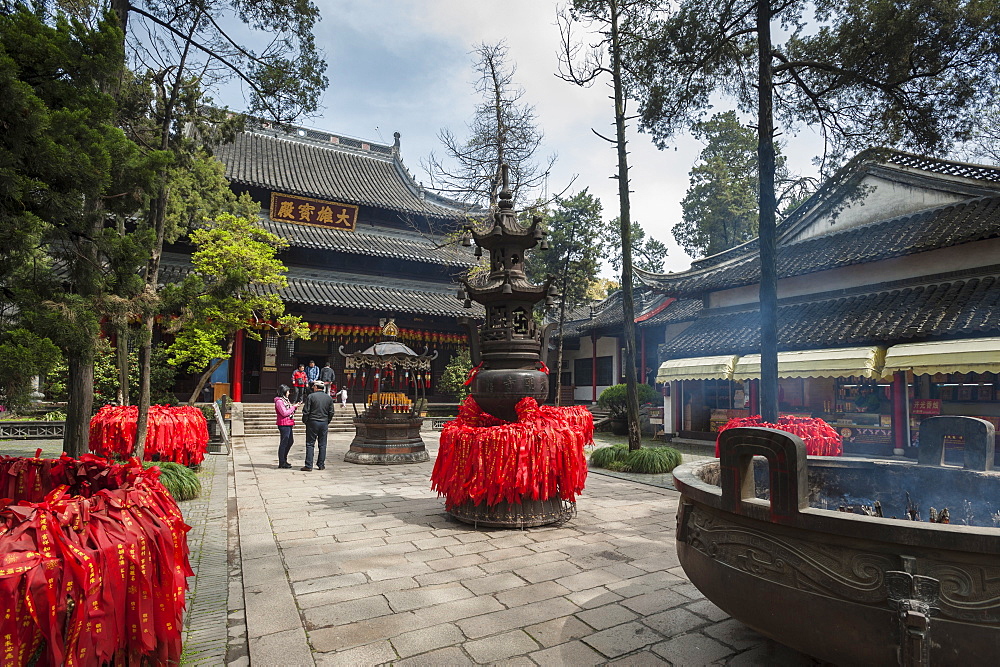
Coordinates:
x,y
848,588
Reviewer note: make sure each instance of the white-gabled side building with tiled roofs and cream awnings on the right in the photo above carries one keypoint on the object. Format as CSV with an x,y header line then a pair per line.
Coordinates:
x,y
888,308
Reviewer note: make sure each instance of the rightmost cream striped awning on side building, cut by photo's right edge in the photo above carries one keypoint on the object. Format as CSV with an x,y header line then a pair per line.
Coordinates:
x,y
971,355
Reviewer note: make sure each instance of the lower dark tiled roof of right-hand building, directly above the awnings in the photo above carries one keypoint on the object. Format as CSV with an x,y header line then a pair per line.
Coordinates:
x,y
967,307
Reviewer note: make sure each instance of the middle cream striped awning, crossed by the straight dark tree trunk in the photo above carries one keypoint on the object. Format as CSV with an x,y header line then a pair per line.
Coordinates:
x,y
830,362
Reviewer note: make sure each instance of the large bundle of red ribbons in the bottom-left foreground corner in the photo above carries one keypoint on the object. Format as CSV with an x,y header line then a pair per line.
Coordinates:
x,y
93,563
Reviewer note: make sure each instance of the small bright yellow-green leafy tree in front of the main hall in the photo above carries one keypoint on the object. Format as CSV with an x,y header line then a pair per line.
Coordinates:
x,y
234,284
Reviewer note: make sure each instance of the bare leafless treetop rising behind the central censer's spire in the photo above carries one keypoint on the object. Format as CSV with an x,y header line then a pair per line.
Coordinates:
x,y
503,130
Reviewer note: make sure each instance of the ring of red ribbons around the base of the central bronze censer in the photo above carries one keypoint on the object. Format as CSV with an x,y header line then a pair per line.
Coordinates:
x,y
540,456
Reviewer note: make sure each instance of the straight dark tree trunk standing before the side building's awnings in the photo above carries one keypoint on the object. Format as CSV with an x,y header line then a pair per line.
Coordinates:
x,y
766,201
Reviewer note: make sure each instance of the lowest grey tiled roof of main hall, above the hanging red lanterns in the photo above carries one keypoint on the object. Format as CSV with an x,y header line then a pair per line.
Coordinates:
x,y
342,290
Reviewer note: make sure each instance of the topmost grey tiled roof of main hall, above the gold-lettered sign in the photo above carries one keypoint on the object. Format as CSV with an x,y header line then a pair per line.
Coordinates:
x,y
310,167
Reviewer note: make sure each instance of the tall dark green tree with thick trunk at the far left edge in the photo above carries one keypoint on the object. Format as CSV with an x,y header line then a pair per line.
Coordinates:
x,y
69,168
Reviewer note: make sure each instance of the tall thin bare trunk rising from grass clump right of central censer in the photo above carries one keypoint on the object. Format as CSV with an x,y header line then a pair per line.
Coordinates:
x,y
628,304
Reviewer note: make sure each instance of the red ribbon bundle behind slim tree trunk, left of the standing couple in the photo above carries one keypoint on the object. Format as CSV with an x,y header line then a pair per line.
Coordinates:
x,y
178,434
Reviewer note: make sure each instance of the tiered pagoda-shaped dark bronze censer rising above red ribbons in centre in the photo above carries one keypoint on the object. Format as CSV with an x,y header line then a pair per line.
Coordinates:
x,y
506,350
